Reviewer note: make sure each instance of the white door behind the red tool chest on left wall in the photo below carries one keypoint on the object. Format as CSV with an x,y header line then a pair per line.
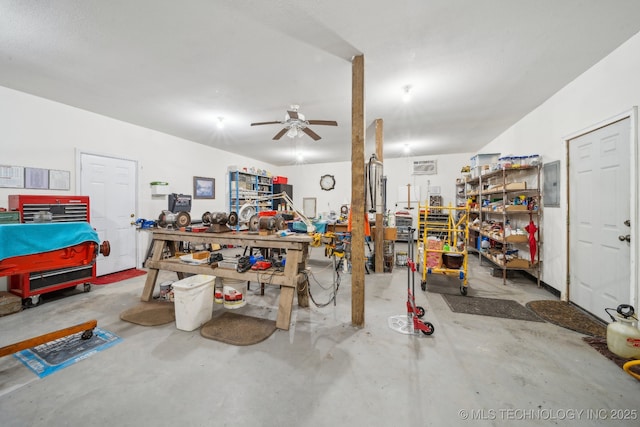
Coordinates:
x,y
110,184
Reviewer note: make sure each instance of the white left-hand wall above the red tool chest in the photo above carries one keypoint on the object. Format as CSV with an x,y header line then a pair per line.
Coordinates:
x,y
38,133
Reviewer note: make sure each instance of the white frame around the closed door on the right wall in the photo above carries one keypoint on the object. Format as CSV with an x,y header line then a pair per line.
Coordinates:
x,y
634,175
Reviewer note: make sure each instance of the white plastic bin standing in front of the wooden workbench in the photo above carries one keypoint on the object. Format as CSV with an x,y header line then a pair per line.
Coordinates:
x,y
193,299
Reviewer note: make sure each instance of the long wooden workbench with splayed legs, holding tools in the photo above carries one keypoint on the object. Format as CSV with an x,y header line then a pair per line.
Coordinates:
x,y
297,247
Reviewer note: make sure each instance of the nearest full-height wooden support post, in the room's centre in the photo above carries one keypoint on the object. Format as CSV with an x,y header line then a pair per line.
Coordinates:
x,y
357,192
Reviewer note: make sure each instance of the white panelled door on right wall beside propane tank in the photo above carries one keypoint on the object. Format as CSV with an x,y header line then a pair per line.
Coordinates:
x,y
599,206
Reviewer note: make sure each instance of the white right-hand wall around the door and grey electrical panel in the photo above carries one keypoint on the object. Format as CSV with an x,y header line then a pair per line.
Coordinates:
x,y
609,88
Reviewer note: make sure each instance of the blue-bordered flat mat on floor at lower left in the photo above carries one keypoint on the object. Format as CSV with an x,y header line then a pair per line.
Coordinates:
x,y
50,357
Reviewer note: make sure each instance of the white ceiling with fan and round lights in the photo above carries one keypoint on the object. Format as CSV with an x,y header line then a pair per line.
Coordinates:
x,y
475,67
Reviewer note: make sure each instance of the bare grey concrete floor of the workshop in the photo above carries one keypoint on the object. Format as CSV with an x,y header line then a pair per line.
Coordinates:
x,y
323,371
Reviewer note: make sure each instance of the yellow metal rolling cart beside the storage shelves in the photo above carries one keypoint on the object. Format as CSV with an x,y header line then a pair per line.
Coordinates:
x,y
446,230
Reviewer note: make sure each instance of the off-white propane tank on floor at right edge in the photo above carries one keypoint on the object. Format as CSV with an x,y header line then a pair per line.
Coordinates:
x,y
623,335
